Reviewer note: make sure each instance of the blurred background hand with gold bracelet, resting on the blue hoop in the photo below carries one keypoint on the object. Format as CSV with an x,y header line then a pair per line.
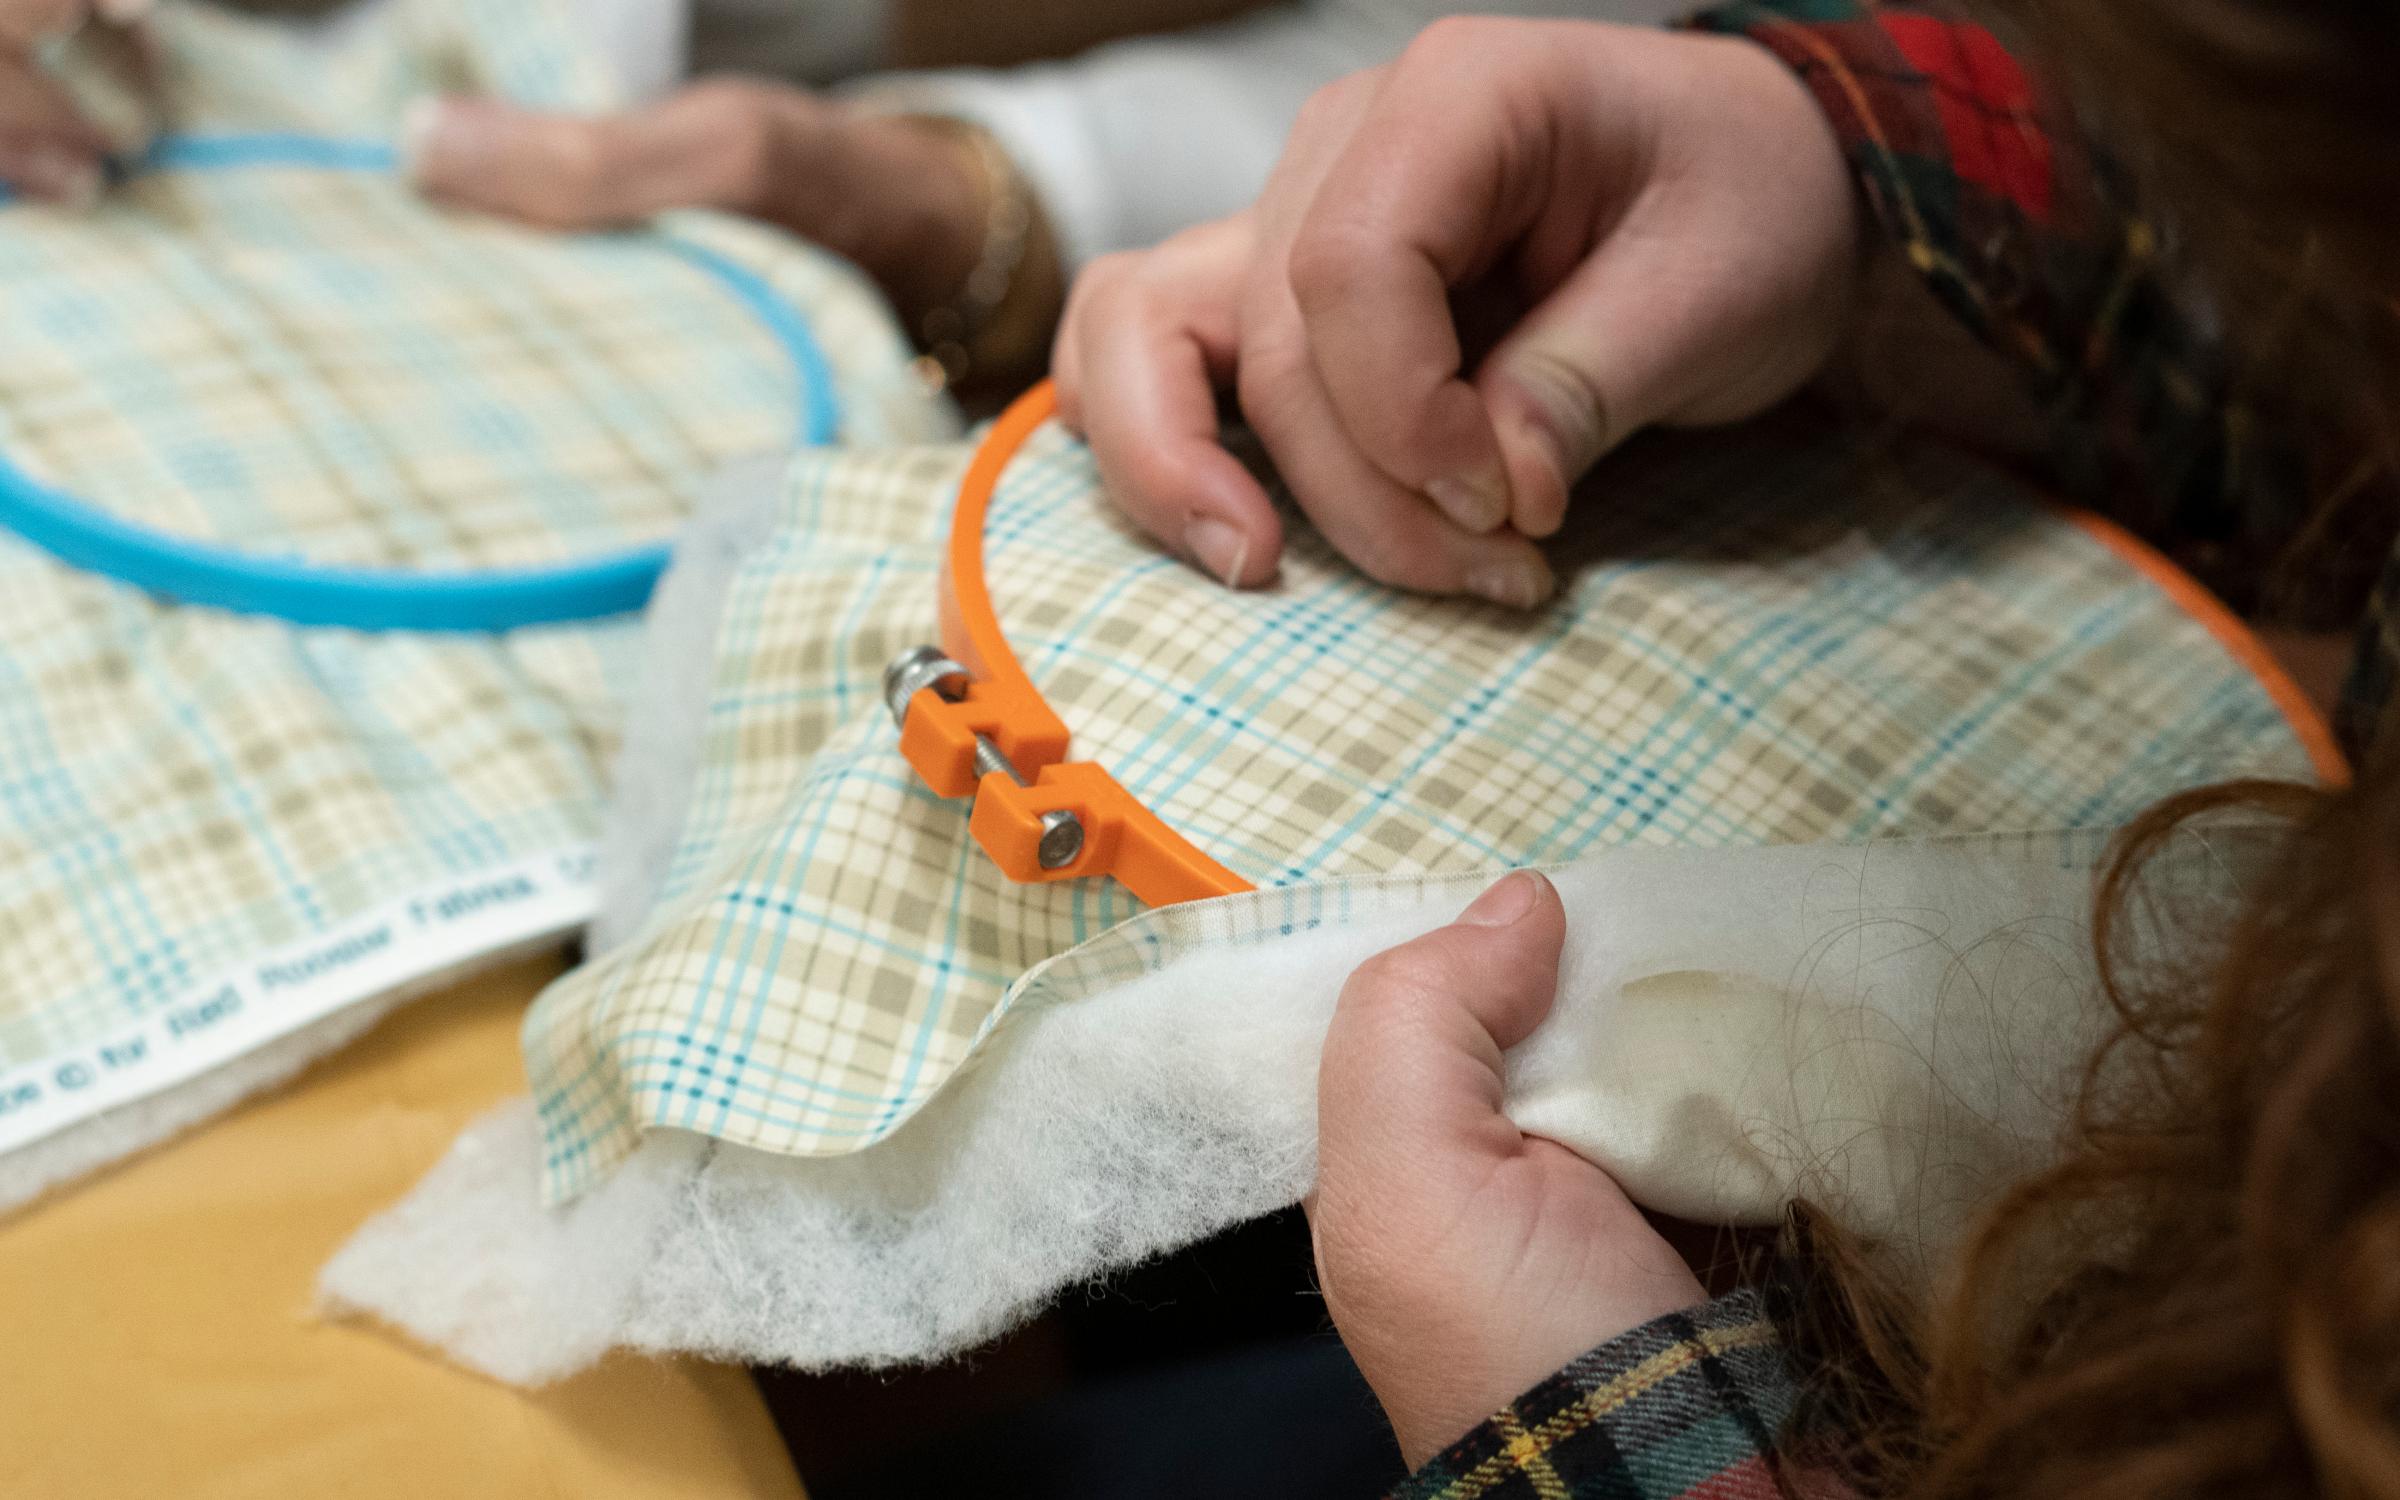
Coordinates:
x,y
901,200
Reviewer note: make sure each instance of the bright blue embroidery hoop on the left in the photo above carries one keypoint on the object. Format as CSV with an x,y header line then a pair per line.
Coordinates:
x,y
368,599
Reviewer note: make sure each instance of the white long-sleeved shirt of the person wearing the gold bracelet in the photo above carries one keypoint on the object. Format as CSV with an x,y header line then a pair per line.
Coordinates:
x,y
1127,143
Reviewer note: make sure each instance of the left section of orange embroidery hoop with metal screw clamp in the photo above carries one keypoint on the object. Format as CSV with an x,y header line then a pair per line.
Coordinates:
x,y
976,726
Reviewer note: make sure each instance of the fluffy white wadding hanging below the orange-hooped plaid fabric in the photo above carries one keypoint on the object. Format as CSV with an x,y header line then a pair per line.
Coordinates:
x,y
1885,1028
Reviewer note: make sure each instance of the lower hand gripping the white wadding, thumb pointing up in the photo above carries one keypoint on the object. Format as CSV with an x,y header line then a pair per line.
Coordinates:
x,y
1465,1261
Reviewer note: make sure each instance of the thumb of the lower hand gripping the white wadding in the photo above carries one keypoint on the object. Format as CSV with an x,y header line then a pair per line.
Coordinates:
x,y
1410,1086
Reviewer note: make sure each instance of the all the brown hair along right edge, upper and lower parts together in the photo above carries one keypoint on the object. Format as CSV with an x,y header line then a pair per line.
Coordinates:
x,y
2202,1297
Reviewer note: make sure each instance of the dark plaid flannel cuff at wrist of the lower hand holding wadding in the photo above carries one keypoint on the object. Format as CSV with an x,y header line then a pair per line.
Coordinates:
x,y
1681,1408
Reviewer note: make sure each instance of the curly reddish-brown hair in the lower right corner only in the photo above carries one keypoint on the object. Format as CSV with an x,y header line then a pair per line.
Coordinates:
x,y
2202,1297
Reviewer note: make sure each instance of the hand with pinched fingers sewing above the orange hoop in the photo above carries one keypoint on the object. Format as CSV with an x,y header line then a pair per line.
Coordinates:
x,y
1660,224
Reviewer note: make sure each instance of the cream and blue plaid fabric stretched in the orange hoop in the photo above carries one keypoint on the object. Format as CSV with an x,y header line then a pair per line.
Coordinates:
x,y
1768,637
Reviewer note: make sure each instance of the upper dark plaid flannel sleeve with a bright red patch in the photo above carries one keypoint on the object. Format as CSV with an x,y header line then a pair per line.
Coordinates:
x,y
2034,241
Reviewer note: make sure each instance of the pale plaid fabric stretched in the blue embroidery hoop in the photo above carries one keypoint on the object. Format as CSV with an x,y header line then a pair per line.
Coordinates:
x,y
316,364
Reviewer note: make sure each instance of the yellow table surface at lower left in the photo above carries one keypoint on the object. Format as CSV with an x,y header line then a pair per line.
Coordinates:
x,y
157,1333
